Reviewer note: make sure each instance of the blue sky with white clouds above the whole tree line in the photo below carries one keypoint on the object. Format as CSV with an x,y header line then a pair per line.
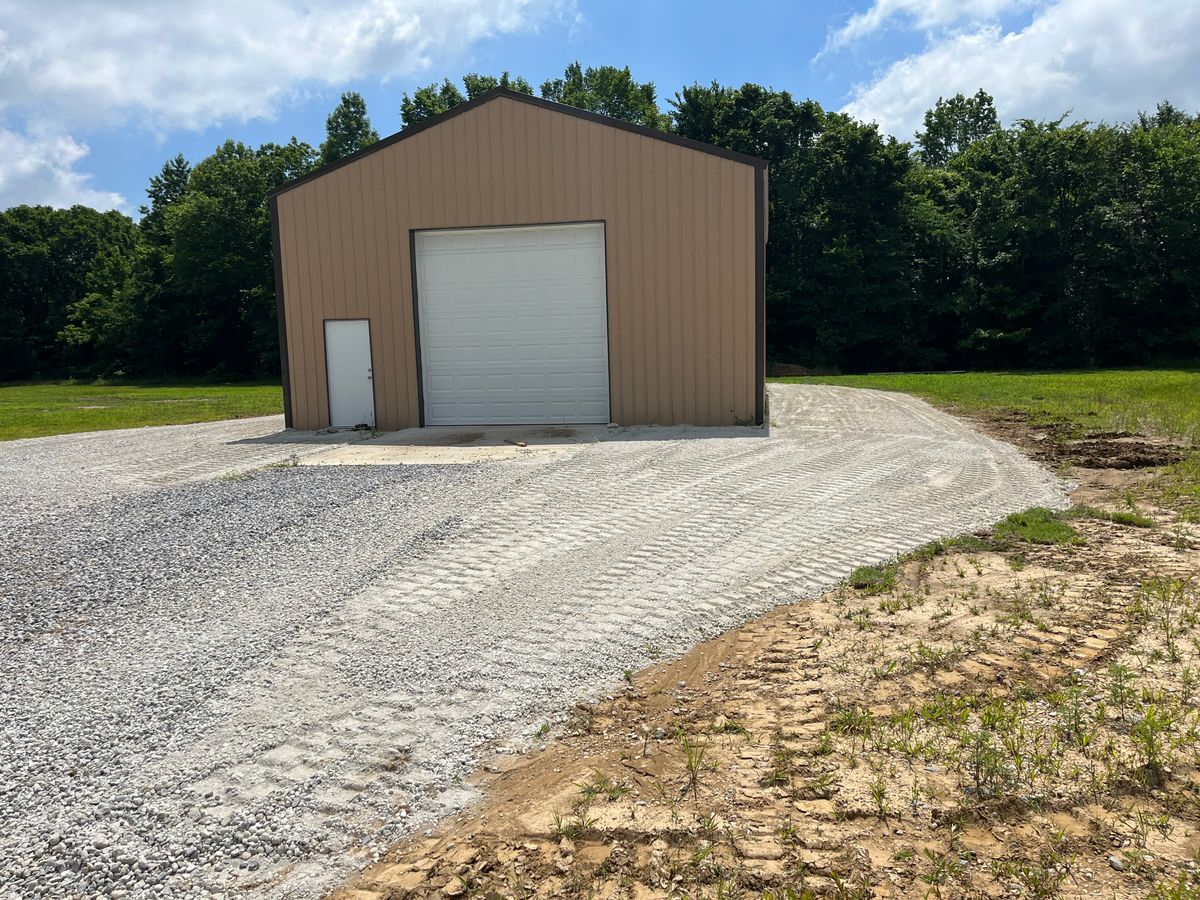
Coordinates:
x,y
95,95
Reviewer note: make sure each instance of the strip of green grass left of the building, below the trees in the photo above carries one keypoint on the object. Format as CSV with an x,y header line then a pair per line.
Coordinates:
x,y
33,411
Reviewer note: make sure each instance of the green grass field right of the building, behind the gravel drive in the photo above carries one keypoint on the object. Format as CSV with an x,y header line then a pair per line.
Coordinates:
x,y
1163,403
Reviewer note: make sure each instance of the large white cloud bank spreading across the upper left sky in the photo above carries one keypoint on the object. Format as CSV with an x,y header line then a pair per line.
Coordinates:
x,y
92,65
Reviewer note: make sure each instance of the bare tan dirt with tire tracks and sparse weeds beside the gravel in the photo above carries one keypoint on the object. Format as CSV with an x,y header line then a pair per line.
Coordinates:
x,y
991,717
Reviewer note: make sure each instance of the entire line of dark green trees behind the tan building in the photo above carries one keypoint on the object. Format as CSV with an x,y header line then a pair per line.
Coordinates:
x,y
1042,244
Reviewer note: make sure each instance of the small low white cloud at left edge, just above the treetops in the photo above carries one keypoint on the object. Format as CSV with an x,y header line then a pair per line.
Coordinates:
x,y
40,169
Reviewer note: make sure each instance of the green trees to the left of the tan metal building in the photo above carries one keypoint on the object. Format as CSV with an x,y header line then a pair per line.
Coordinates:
x,y
188,290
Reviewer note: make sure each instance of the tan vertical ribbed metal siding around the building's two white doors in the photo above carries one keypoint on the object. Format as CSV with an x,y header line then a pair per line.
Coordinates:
x,y
680,227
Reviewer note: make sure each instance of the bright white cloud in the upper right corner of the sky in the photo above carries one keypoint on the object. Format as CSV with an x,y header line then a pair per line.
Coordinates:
x,y
1097,59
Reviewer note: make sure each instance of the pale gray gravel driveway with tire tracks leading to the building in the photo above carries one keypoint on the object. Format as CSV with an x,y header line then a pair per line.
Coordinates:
x,y
255,683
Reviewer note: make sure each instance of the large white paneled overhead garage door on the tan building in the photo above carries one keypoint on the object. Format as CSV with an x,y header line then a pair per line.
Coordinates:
x,y
514,326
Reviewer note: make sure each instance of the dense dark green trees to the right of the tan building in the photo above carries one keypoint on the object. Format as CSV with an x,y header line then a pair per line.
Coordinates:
x,y
1036,245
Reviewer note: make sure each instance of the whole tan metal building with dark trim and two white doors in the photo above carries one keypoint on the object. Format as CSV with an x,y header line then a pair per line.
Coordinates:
x,y
517,261
